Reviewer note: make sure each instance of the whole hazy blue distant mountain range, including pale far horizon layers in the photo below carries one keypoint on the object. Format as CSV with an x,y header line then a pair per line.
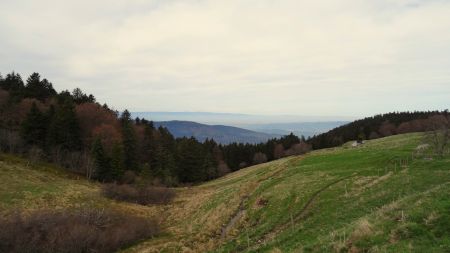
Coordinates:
x,y
244,128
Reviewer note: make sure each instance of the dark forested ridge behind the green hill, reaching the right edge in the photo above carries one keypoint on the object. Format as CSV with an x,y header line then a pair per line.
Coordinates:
x,y
381,125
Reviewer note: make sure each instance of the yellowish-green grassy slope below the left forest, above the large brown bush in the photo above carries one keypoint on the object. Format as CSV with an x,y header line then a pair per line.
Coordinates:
x,y
26,187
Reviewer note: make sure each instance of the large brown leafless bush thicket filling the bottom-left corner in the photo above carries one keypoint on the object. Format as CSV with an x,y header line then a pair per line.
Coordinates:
x,y
87,230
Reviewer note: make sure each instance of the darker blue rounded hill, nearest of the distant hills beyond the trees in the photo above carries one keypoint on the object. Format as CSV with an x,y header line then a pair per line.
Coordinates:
x,y
220,133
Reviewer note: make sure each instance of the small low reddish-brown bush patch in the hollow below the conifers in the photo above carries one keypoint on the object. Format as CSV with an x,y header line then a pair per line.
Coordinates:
x,y
140,195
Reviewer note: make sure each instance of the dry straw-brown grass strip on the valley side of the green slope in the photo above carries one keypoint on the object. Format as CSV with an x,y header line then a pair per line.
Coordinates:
x,y
196,228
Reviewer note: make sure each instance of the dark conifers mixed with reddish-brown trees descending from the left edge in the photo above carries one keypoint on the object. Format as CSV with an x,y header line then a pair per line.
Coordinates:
x,y
74,130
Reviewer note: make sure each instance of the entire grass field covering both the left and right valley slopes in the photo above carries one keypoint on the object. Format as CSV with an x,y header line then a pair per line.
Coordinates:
x,y
378,197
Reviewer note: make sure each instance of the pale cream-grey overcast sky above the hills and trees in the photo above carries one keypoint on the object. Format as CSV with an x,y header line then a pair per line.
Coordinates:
x,y
348,58
